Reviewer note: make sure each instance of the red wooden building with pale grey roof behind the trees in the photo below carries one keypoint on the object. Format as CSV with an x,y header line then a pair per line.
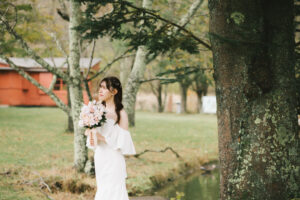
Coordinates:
x,y
17,91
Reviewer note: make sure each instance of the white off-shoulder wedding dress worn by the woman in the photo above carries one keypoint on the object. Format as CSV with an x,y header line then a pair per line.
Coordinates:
x,y
110,166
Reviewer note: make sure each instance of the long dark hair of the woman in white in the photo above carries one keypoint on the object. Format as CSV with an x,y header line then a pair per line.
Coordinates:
x,y
113,82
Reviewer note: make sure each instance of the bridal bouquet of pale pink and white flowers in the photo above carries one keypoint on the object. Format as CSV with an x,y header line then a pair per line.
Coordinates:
x,y
92,116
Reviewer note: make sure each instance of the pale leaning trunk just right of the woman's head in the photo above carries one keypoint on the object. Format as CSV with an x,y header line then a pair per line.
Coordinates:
x,y
136,74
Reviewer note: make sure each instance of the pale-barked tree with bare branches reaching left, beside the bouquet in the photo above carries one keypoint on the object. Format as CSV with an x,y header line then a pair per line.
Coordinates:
x,y
73,79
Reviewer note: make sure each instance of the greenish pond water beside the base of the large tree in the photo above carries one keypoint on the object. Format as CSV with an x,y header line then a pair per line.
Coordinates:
x,y
197,186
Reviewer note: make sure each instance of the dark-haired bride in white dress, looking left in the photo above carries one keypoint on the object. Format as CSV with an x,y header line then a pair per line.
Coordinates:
x,y
113,143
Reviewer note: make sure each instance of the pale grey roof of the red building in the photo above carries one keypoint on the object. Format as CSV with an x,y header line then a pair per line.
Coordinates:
x,y
32,65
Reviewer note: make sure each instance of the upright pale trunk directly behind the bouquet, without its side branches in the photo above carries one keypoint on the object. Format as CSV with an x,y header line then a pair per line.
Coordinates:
x,y
80,149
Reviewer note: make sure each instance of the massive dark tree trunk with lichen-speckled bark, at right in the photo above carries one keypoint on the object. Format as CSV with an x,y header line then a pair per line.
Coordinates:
x,y
253,54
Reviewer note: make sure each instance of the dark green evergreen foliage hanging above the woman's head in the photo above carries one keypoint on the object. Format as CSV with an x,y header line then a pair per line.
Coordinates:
x,y
112,17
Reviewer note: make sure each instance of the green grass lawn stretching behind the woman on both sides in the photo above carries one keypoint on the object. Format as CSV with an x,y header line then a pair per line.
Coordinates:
x,y
36,140
